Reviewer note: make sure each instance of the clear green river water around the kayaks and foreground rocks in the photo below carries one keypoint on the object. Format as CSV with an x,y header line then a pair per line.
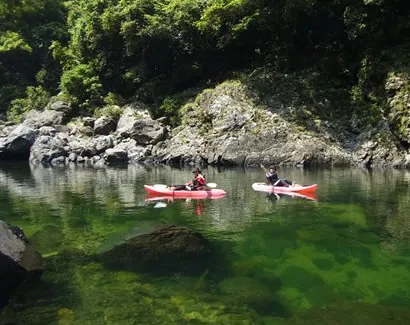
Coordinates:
x,y
342,257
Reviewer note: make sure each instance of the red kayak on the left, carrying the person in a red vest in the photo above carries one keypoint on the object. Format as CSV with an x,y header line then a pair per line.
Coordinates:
x,y
159,189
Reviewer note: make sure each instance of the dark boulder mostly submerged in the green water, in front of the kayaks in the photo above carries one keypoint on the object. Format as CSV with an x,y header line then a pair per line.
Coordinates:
x,y
166,250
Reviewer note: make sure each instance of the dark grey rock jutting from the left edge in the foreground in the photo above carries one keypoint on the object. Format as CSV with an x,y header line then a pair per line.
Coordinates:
x,y
18,260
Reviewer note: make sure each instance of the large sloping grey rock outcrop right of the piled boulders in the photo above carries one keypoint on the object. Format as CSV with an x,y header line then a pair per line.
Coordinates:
x,y
228,125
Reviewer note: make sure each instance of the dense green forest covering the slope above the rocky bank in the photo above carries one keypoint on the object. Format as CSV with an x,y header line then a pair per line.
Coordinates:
x,y
102,52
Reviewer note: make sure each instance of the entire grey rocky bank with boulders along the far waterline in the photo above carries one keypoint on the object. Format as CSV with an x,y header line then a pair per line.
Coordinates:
x,y
227,125
